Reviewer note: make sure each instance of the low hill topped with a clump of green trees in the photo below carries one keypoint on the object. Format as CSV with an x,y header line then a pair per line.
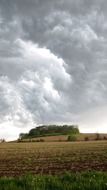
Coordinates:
x,y
55,133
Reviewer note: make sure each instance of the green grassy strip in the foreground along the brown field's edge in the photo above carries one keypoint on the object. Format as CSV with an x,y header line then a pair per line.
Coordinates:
x,y
68,181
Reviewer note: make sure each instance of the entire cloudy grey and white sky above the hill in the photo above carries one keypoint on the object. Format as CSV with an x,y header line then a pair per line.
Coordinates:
x,y
53,64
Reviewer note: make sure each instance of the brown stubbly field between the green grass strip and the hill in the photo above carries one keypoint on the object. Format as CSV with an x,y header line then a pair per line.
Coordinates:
x,y
52,158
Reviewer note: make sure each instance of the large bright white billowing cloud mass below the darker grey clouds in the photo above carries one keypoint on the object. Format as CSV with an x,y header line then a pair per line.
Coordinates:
x,y
35,96
